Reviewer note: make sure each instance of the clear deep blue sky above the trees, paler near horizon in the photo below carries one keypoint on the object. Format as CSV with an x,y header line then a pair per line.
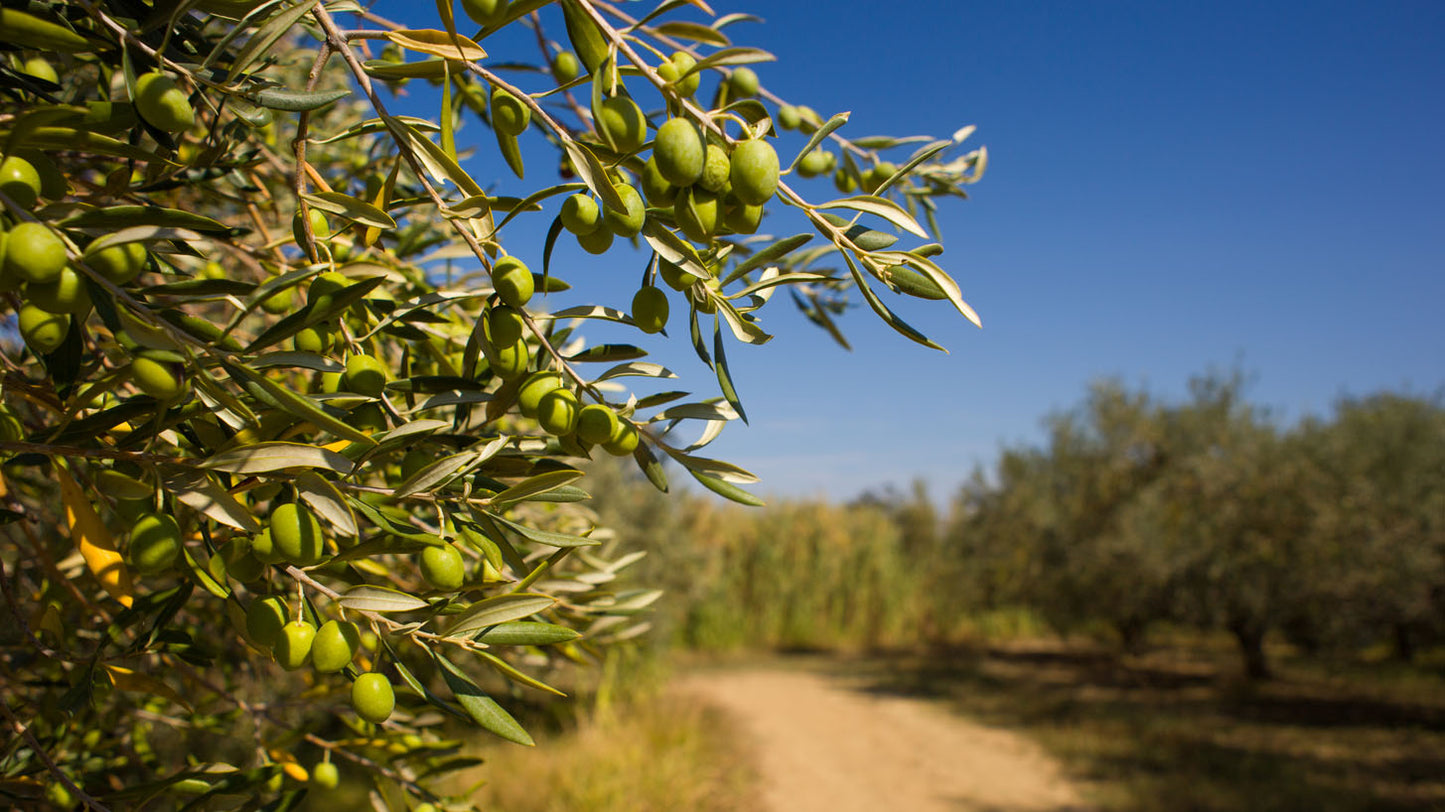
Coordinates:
x,y
1171,186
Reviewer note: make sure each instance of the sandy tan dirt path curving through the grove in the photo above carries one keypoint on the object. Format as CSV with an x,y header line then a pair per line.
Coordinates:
x,y
826,746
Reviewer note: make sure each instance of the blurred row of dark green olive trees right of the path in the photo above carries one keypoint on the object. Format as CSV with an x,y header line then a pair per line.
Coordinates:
x,y
1136,512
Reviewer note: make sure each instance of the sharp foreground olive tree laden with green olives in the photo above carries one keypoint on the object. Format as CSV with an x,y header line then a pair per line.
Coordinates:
x,y
293,437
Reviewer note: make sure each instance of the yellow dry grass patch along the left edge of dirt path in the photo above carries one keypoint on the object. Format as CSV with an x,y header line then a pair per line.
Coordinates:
x,y
654,755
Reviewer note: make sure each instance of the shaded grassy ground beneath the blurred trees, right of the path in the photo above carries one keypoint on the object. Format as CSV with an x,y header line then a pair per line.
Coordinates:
x,y
1177,730
